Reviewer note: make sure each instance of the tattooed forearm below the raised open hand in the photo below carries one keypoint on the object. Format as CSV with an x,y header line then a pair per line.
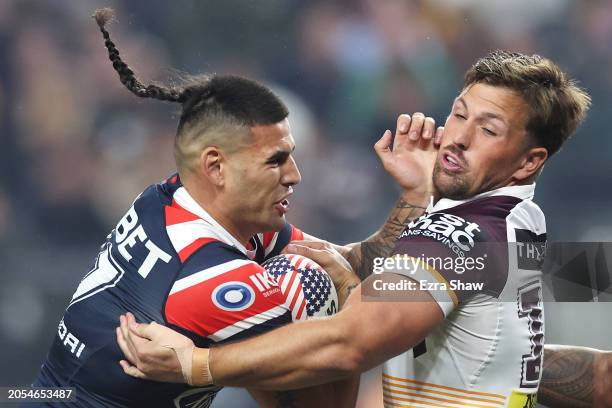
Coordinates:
x,y
381,244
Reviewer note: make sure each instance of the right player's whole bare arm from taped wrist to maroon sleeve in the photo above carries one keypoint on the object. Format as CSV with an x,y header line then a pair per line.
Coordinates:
x,y
319,351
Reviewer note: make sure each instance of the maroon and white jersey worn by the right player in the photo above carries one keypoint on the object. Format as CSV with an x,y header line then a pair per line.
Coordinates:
x,y
488,350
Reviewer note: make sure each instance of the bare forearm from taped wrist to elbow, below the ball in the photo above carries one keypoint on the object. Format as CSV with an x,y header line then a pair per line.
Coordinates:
x,y
295,356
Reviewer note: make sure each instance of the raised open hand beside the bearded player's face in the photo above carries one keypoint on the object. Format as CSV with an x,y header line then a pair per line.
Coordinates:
x,y
410,155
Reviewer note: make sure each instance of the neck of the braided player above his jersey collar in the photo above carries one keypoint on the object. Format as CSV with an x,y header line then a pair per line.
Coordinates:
x,y
208,200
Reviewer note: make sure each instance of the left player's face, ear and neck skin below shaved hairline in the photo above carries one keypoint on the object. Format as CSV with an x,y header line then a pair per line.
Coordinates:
x,y
241,189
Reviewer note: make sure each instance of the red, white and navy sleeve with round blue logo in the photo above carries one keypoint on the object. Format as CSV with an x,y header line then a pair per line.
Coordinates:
x,y
220,294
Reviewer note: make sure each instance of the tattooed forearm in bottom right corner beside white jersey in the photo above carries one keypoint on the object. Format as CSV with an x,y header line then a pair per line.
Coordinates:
x,y
567,377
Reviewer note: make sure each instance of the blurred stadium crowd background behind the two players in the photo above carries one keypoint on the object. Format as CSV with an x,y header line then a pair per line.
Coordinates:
x,y
77,147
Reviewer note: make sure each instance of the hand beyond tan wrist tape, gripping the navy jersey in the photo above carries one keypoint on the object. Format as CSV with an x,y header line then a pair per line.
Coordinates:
x,y
153,351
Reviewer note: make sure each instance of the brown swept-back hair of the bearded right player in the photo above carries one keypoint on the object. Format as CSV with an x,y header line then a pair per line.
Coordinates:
x,y
557,105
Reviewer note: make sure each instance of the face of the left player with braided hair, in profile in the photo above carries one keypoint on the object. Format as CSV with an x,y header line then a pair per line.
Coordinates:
x,y
262,176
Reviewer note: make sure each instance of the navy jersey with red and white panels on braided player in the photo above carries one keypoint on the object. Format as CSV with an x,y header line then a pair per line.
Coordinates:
x,y
167,261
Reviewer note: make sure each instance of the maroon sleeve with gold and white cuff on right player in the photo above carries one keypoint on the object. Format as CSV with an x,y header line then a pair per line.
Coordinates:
x,y
453,257
